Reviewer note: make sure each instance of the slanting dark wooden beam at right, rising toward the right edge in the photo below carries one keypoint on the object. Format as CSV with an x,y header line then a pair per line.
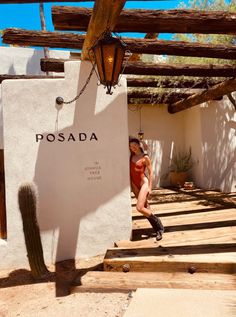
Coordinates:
x,y
216,91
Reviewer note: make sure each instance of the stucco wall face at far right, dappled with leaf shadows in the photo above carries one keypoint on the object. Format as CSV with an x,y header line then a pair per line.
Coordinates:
x,y
219,146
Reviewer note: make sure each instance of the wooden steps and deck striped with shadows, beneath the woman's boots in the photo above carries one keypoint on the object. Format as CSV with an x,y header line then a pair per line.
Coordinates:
x,y
198,249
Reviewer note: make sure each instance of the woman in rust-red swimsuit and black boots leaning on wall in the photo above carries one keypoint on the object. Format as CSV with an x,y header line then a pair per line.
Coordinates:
x,y
141,183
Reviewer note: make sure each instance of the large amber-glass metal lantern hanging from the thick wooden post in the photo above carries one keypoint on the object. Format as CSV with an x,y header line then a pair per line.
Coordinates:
x,y
108,54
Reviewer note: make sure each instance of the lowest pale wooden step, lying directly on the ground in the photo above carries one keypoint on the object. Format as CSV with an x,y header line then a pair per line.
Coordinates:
x,y
116,281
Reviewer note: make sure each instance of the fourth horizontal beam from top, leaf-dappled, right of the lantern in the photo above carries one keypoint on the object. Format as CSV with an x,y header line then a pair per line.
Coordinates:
x,y
167,83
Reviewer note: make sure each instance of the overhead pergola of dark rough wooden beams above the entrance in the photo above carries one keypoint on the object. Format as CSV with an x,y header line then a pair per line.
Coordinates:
x,y
110,14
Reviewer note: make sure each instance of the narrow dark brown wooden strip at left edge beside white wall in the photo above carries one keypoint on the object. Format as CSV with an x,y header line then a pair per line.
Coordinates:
x,y
3,217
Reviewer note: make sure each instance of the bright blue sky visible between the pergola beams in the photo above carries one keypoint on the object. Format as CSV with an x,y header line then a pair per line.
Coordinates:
x,y
26,16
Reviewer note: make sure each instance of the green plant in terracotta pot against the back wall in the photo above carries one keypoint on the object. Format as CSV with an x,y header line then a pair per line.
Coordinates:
x,y
181,164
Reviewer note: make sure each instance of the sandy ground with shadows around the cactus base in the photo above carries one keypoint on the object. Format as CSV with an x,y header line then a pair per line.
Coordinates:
x,y
20,295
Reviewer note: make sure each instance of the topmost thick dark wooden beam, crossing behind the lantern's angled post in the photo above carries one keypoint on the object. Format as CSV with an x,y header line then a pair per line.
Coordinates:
x,y
147,21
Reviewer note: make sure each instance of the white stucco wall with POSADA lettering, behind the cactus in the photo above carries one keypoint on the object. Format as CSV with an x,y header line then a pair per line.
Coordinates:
x,y
80,214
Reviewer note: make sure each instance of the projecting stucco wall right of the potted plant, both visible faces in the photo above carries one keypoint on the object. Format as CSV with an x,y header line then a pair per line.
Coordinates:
x,y
210,129
